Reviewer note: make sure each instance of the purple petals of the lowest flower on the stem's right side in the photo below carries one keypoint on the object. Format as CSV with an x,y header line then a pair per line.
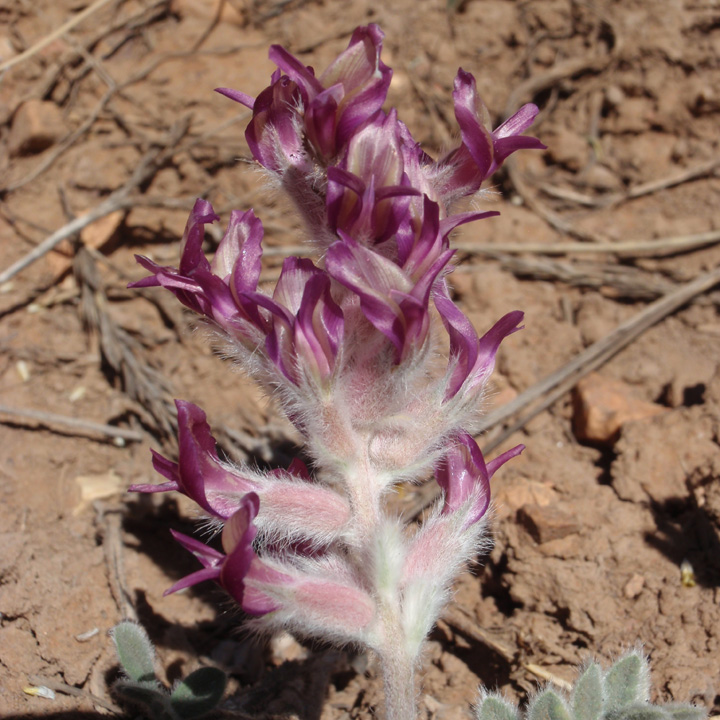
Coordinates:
x,y
463,474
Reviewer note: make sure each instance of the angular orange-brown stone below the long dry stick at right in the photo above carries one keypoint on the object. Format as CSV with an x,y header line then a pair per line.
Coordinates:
x,y
602,406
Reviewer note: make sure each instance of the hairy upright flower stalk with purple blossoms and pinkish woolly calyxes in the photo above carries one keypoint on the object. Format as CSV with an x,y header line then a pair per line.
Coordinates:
x,y
349,347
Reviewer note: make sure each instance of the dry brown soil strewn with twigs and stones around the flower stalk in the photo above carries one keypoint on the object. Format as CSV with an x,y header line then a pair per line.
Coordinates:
x,y
619,485
